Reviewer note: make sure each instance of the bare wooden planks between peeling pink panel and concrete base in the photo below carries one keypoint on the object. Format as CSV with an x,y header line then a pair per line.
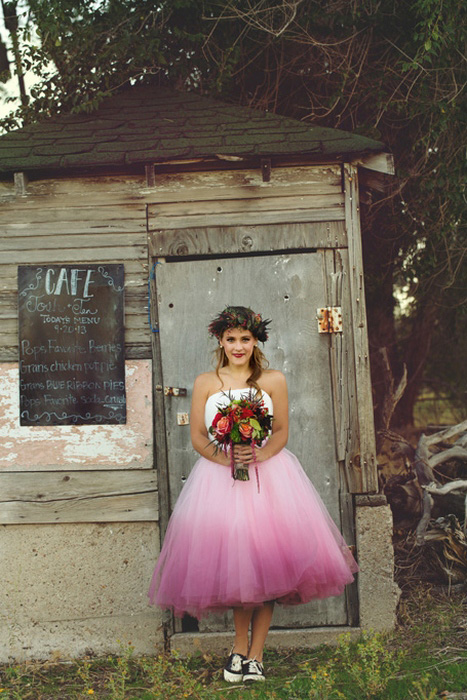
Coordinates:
x,y
78,496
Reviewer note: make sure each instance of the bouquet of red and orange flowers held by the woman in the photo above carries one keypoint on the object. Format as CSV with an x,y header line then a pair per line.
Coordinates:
x,y
244,421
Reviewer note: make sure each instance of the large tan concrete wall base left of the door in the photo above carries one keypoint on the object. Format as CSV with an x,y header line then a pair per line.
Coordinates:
x,y
74,589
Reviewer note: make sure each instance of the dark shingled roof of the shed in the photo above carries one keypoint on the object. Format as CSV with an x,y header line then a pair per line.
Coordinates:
x,y
151,125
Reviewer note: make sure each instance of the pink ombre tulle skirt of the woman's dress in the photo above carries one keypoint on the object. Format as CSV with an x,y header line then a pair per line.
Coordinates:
x,y
229,545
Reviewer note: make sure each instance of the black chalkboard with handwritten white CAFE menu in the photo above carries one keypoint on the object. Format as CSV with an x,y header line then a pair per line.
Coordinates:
x,y
71,344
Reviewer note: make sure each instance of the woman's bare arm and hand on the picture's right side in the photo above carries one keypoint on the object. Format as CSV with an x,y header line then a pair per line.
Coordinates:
x,y
277,389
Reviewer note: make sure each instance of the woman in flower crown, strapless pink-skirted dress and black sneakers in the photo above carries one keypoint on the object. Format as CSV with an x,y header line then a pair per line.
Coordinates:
x,y
246,544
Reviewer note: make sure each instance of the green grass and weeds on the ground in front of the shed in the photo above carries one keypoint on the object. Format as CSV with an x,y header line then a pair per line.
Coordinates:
x,y
425,656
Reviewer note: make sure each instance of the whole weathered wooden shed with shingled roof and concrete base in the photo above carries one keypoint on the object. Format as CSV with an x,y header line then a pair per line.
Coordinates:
x,y
203,203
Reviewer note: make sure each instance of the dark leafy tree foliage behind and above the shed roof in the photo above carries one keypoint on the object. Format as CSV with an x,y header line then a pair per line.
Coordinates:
x,y
388,69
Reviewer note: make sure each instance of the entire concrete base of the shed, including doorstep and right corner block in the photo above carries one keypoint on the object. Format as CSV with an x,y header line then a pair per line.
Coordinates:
x,y
74,589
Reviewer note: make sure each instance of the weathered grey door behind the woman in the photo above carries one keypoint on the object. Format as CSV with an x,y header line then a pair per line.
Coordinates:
x,y
288,288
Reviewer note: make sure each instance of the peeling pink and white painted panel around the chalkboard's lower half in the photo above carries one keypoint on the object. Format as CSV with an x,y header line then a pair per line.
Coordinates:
x,y
44,448
